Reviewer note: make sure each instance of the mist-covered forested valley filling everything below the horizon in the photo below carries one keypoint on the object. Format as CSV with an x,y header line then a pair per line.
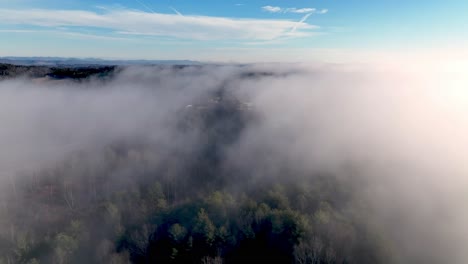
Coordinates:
x,y
266,163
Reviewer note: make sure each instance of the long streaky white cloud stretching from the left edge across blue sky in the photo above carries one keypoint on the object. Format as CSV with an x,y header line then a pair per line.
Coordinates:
x,y
132,22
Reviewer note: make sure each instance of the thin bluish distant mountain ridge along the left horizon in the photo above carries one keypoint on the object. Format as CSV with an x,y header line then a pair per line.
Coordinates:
x,y
59,61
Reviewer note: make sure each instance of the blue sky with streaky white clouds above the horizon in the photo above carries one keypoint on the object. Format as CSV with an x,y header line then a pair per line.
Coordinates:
x,y
234,30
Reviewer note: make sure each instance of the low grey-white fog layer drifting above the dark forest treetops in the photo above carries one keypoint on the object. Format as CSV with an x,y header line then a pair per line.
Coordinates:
x,y
402,136
